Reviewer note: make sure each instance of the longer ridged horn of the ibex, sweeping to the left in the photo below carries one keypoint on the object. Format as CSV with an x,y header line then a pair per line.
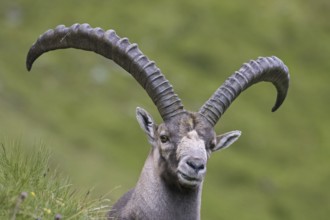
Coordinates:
x,y
121,51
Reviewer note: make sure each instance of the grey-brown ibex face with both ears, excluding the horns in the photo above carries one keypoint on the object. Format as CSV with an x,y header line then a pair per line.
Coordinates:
x,y
182,146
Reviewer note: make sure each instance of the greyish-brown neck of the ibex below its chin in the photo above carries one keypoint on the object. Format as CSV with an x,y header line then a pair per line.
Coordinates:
x,y
159,201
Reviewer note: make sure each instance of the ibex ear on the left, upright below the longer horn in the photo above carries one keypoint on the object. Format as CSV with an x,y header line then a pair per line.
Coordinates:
x,y
146,123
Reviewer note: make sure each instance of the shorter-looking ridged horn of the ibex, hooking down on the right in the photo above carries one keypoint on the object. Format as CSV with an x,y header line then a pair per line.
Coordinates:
x,y
270,69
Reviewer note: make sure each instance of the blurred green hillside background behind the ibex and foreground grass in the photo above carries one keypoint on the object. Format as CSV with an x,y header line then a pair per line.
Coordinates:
x,y
83,106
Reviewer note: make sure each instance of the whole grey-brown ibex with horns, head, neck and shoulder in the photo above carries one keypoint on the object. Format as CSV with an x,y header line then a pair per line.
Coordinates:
x,y
170,184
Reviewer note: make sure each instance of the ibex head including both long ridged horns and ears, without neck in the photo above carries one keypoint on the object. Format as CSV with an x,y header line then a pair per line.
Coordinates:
x,y
182,144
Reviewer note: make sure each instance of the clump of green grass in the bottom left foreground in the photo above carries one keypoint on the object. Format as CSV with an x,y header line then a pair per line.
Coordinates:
x,y
31,188
